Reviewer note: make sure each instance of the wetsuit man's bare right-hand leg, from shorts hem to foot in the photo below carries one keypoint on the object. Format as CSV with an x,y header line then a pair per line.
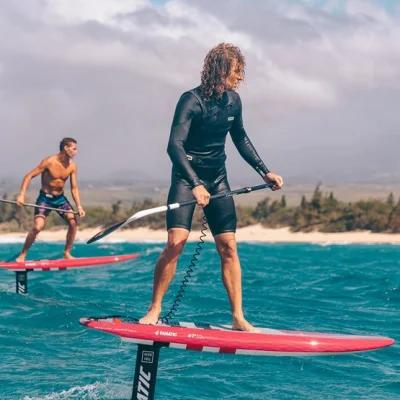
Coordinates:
x,y
232,279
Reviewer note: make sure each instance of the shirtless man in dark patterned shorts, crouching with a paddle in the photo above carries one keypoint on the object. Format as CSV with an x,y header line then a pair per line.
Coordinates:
x,y
54,170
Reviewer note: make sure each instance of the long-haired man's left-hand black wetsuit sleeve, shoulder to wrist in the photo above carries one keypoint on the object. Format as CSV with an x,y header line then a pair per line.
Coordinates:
x,y
186,109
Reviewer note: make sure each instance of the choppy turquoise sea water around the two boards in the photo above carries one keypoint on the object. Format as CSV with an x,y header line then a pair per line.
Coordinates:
x,y
46,354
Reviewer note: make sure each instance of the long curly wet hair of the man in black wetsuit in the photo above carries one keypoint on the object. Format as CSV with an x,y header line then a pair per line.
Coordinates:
x,y
217,67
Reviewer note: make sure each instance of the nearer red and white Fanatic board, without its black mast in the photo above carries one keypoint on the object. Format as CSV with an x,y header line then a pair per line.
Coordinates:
x,y
222,339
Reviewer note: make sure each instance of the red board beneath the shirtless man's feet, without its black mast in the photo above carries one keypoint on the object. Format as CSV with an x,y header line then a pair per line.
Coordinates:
x,y
53,265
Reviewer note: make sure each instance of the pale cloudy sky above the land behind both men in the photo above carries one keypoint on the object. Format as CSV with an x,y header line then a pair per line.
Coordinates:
x,y
320,99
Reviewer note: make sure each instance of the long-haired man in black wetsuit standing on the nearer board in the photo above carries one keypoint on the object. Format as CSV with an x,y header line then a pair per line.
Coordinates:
x,y
202,120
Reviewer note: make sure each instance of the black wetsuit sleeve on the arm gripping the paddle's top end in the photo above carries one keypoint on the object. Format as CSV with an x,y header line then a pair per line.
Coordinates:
x,y
244,145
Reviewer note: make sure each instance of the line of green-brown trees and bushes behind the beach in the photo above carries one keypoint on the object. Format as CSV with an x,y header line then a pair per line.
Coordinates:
x,y
322,212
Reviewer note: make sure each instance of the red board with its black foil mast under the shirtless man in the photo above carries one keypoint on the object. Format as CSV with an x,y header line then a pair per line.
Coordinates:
x,y
22,268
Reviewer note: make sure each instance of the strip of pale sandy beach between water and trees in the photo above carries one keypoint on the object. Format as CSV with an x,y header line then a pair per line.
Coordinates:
x,y
253,233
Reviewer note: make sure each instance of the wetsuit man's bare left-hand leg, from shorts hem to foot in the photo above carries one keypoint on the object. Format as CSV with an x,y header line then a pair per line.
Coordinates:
x,y
164,272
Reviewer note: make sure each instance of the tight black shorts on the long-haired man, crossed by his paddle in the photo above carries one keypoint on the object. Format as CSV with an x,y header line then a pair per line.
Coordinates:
x,y
220,214
